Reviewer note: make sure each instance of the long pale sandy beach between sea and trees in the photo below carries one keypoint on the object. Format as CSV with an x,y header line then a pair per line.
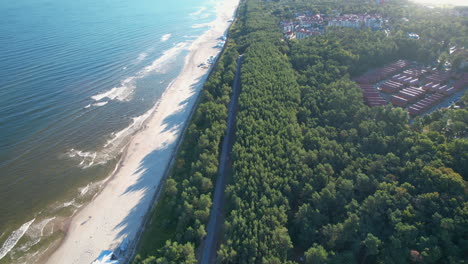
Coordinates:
x,y
119,210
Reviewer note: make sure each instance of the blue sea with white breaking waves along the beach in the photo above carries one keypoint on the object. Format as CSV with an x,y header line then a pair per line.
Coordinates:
x,y
76,80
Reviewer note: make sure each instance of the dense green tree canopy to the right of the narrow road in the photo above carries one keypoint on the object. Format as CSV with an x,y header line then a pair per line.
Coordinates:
x,y
321,177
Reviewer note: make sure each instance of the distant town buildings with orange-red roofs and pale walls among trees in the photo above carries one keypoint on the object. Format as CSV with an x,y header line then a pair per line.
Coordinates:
x,y
307,25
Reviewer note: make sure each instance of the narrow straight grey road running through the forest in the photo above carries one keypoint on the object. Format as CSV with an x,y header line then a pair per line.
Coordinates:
x,y
215,222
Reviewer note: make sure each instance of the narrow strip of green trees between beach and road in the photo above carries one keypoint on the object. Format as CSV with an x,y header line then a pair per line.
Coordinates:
x,y
179,218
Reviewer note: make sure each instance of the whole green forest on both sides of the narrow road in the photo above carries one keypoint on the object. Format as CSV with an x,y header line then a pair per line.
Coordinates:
x,y
318,176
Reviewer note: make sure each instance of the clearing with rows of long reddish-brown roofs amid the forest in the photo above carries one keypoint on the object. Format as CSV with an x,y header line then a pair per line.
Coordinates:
x,y
418,89
